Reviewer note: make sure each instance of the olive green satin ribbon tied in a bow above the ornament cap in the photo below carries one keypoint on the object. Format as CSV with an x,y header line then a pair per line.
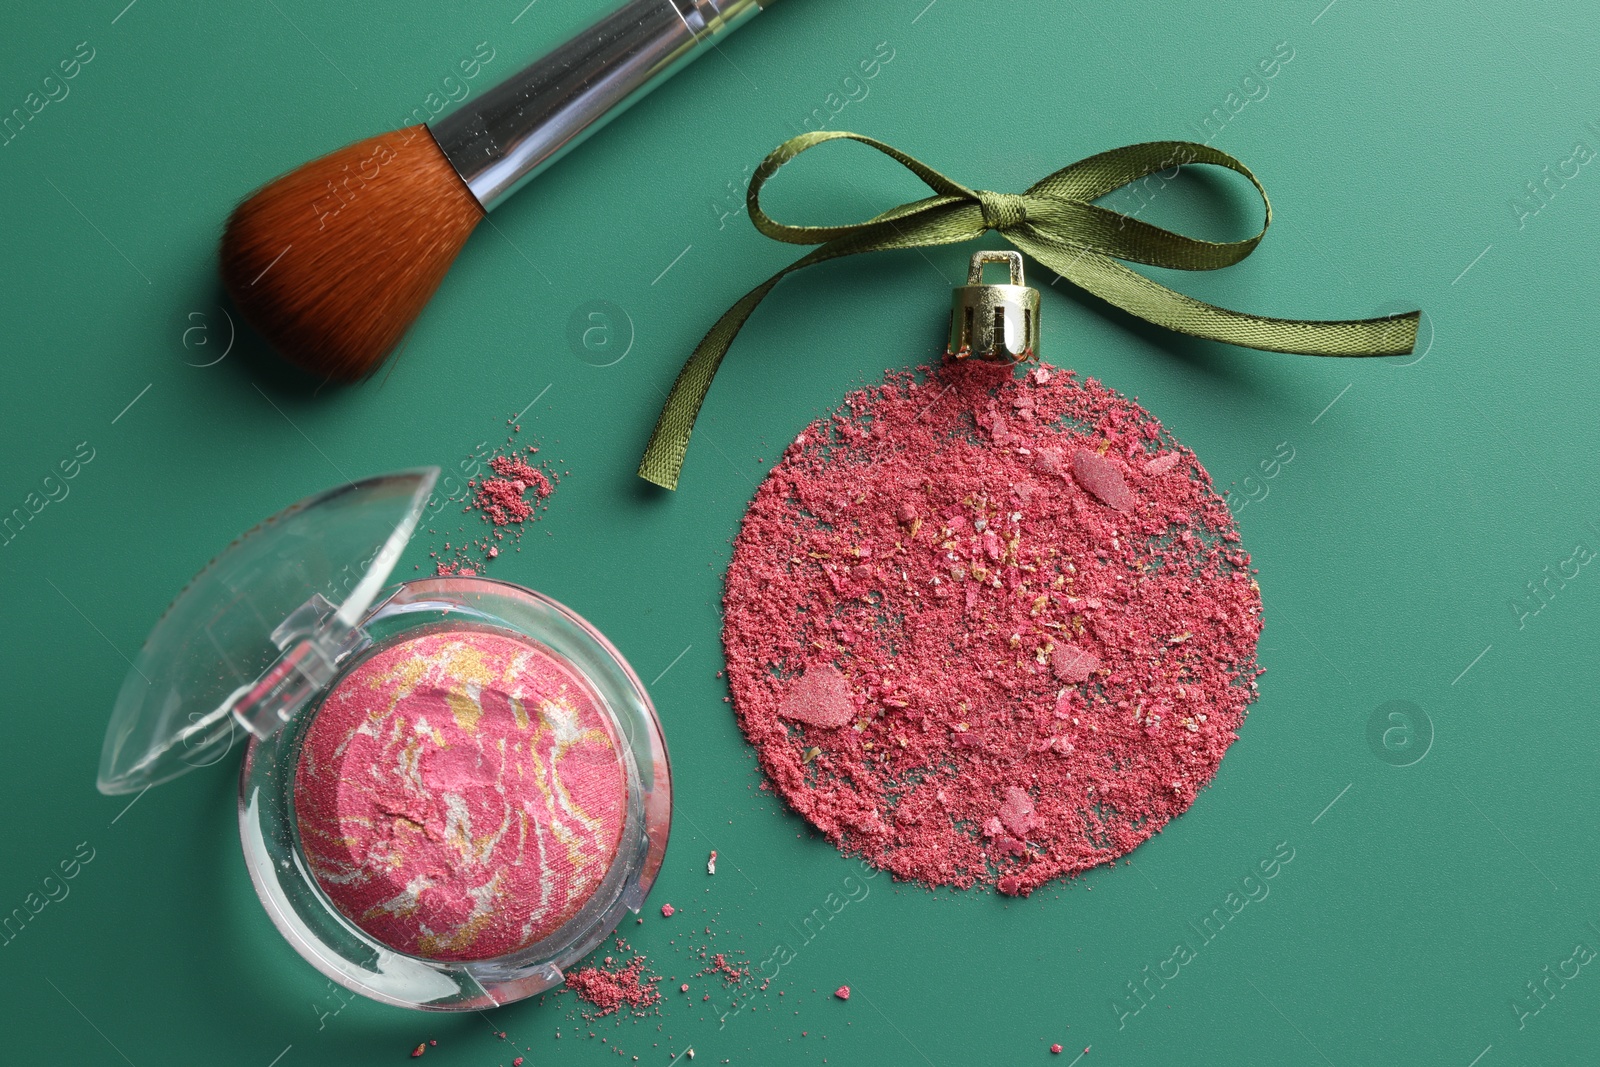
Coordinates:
x,y
1057,225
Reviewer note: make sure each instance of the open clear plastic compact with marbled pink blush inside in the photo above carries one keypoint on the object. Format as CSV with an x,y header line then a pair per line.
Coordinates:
x,y
454,788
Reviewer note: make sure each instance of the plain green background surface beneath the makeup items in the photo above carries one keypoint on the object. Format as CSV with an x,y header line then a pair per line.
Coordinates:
x,y
1425,495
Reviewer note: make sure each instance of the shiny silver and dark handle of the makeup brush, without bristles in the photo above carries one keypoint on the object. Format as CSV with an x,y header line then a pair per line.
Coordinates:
x,y
527,122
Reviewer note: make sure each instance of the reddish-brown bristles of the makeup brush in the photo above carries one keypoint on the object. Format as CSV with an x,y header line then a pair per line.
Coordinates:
x,y
334,262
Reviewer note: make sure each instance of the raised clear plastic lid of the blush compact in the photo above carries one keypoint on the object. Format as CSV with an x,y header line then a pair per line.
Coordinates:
x,y
258,633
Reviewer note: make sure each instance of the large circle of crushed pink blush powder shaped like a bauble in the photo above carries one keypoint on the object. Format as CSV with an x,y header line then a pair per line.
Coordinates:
x,y
986,628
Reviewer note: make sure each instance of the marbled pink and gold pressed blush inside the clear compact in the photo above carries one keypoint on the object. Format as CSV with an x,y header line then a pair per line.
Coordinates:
x,y
460,796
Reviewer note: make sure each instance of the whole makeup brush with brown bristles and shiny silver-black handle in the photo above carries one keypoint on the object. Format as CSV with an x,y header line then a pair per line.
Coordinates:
x,y
334,262
